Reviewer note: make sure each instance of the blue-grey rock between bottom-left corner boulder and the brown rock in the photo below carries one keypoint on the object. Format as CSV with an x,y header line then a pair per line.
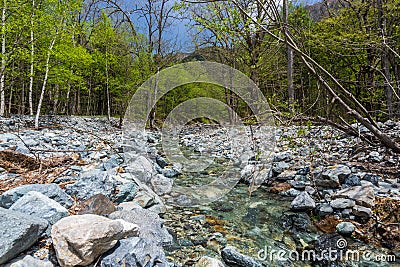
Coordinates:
x,y
38,205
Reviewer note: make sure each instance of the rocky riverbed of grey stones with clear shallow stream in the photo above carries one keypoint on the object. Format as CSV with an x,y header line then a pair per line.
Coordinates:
x,y
72,194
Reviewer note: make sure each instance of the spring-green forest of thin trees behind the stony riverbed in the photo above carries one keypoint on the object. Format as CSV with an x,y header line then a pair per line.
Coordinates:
x,y
89,57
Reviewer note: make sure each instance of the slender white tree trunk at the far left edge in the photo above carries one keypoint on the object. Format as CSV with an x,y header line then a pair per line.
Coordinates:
x,y
3,59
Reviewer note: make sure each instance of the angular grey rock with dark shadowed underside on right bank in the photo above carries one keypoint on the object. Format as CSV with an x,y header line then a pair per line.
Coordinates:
x,y
333,176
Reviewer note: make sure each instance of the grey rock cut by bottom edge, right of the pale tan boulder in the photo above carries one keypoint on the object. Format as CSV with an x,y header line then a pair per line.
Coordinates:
x,y
134,251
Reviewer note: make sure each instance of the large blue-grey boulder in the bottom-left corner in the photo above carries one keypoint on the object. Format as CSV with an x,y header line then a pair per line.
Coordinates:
x,y
18,232
